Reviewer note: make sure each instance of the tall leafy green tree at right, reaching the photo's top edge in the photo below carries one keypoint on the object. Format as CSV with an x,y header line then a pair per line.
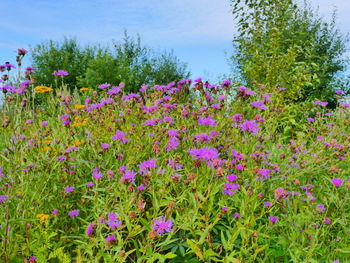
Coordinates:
x,y
281,44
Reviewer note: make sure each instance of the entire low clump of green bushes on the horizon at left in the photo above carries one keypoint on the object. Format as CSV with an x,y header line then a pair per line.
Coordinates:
x,y
128,61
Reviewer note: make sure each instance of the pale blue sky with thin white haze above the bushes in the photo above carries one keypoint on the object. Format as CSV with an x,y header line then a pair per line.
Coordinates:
x,y
199,31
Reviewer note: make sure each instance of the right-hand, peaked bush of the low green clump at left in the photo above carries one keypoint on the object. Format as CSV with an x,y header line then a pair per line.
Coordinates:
x,y
133,64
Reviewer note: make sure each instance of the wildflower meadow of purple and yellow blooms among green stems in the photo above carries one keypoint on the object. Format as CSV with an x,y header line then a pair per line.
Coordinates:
x,y
185,172
